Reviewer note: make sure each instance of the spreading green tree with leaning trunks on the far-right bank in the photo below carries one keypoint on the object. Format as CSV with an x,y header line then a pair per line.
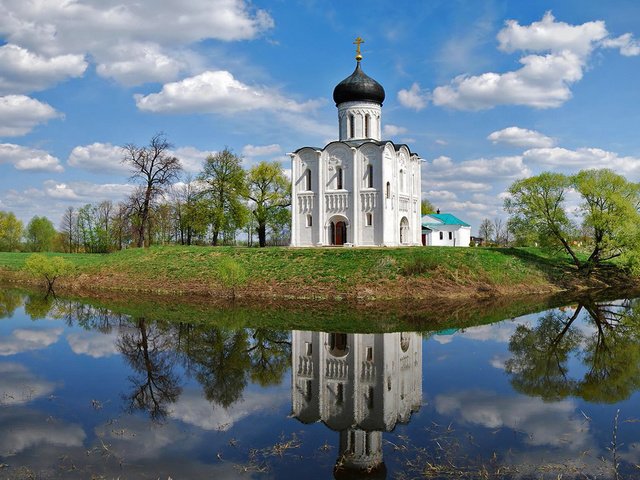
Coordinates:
x,y
609,211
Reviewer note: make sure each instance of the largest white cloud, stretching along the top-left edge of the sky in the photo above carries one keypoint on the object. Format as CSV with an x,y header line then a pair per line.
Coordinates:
x,y
151,36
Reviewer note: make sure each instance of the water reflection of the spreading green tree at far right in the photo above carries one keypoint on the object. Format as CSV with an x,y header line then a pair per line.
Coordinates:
x,y
609,349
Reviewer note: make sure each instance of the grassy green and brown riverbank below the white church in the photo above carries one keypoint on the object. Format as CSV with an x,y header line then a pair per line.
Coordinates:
x,y
331,274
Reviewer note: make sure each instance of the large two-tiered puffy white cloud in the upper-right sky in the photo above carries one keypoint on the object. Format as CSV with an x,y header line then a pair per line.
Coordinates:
x,y
544,80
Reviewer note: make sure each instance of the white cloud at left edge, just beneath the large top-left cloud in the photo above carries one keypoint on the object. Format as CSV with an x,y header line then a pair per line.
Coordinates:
x,y
22,71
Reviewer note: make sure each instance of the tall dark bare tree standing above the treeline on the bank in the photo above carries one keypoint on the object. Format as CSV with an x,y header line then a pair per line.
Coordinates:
x,y
154,169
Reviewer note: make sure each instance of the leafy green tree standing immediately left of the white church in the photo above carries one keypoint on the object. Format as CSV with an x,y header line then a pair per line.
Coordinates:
x,y
270,192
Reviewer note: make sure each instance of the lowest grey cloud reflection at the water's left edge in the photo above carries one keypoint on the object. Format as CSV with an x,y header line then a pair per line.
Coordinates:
x,y
22,429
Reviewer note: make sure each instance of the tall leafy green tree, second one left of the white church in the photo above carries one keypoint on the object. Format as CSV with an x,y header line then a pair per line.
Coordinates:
x,y
225,186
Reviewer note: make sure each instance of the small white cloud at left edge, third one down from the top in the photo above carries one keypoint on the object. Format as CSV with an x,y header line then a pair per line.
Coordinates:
x,y
20,114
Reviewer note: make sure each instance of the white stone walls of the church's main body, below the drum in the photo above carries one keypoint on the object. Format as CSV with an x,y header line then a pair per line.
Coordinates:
x,y
325,202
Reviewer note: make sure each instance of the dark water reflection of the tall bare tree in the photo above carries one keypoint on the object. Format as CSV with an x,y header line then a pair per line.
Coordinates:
x,y
151,355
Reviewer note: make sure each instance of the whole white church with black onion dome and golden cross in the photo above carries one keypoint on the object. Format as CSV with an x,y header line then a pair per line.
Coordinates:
x,y
360,190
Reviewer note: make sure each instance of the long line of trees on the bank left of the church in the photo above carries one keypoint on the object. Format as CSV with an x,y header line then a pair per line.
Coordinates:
x,y
223,205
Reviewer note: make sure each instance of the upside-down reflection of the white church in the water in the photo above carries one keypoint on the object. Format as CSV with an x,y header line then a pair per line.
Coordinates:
x,y
360,385
